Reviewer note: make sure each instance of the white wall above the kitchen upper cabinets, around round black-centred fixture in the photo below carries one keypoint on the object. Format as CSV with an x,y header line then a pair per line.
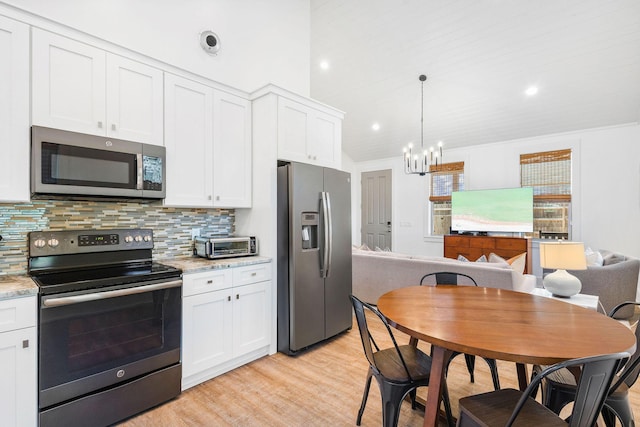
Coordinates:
x,y
261,41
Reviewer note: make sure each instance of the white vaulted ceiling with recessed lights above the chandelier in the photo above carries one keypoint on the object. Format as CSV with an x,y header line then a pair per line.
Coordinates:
x,y
479,57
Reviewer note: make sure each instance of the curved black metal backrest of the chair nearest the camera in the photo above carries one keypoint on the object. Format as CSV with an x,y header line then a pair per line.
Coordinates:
x,y
595,378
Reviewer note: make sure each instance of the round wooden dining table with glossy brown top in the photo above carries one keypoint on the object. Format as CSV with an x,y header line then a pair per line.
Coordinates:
x,y
499,324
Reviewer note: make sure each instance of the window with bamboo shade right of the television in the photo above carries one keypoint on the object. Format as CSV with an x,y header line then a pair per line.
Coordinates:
x,y
549,173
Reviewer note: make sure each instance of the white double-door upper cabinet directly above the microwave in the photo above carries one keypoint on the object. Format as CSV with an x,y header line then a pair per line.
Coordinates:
x,y
82,88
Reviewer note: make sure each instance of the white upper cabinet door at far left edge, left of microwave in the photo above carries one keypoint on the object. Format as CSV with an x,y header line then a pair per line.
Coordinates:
x,y
14,110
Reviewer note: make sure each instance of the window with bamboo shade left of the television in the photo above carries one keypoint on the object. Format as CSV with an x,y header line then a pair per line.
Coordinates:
x,y
445,179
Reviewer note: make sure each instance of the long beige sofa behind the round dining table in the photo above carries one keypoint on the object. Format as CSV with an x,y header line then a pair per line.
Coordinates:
x,y
375,273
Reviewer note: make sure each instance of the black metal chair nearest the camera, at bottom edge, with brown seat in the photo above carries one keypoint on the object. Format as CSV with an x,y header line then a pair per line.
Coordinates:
x,y
507,407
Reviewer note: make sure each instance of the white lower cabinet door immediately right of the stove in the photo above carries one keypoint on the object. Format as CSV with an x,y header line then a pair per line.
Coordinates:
x,y
206,331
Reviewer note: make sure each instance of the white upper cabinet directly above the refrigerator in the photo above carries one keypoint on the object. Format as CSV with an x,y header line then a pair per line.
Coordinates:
x,y
307,134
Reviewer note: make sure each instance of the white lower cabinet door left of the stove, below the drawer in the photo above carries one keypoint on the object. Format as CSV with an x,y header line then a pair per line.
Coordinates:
x,y
18,403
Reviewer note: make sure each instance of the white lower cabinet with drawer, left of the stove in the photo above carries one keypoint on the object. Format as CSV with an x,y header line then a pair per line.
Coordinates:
x,y
18,362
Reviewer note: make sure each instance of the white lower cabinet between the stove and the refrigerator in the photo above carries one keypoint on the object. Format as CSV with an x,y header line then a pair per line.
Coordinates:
x,y
225,320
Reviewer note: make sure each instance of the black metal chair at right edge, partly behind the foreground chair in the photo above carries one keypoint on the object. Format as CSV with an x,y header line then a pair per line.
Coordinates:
x,y
559,389
